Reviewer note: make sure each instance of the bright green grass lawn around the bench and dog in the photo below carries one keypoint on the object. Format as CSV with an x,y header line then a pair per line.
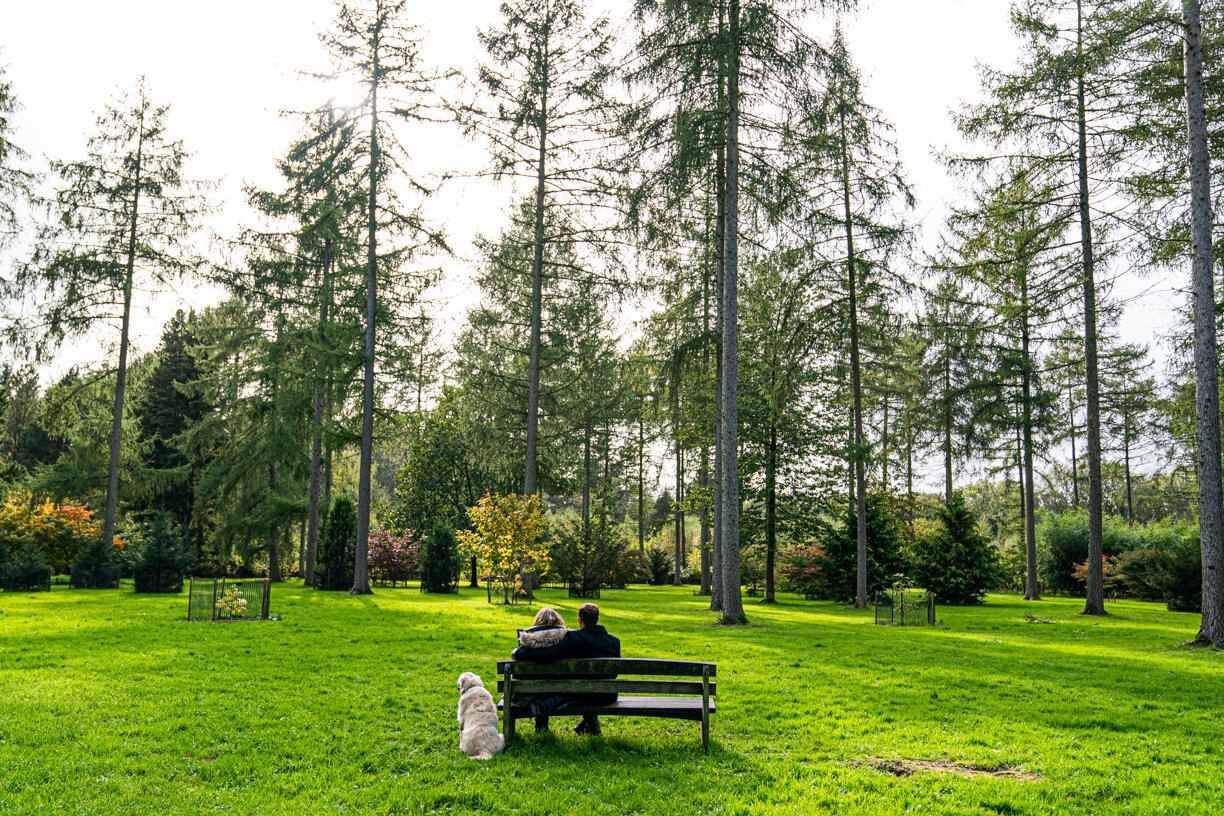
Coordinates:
x,y
110,704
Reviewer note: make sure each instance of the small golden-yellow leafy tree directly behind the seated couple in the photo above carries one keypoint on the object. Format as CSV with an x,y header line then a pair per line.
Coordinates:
x,y
507,540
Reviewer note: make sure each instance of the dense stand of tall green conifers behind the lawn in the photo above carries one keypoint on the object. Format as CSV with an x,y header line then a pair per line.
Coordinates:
x,y
707,328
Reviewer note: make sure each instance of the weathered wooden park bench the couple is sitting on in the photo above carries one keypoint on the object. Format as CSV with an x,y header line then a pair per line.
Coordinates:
x,y
671,698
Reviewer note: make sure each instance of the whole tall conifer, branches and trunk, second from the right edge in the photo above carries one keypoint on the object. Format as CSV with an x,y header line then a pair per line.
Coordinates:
x,y
1070,68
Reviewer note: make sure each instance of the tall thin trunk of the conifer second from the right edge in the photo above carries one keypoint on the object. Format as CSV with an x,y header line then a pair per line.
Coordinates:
x,y
1095,604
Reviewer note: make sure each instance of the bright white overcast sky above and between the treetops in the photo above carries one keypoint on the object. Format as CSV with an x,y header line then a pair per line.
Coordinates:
x,y
229,67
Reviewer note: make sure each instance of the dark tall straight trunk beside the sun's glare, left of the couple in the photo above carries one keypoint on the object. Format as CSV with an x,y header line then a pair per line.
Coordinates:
x,y
360,577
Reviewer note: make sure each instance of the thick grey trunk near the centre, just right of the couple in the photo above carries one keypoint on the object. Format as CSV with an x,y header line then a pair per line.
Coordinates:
x,y
733,600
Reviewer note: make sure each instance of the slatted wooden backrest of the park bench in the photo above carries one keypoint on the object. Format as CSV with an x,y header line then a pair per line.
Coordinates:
x,y
594,676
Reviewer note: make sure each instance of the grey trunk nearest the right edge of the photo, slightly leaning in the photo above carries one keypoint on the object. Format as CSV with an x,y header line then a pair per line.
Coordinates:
x,y
1207,428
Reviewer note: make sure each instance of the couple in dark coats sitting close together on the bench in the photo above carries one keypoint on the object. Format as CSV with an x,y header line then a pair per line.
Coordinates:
x,y
548,642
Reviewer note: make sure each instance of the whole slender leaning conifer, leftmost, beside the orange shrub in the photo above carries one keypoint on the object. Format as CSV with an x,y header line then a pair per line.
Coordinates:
x,y
119,223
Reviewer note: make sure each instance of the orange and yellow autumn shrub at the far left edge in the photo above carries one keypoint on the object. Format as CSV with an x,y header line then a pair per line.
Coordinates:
x,y
61,532
